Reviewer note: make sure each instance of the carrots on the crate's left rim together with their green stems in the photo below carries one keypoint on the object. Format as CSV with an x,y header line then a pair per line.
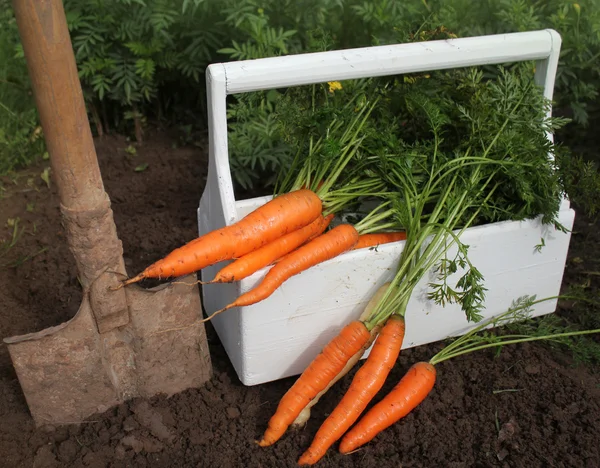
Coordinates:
x,y
291,233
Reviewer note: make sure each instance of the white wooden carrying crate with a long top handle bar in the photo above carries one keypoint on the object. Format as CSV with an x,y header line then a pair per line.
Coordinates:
x,y
278,337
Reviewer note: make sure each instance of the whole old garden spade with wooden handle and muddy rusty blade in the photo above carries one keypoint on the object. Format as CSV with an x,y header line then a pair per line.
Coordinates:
x,y
122,343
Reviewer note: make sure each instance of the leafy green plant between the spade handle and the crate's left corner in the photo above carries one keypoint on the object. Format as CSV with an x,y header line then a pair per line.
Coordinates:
x,y
130,51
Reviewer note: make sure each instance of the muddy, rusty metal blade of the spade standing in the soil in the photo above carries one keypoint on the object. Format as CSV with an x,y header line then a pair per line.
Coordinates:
x,y
72,371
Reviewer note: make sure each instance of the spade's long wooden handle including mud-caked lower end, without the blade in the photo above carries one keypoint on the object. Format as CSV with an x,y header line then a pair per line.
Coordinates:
x,y
85,207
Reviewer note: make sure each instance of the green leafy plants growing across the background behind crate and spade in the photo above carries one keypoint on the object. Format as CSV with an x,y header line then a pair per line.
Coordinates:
x,y
142,61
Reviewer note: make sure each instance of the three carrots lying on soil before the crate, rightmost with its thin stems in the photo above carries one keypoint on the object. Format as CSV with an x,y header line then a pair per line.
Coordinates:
x,y
409,392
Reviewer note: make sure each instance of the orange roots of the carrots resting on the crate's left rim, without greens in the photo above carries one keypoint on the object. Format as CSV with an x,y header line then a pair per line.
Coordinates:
x,y
288,232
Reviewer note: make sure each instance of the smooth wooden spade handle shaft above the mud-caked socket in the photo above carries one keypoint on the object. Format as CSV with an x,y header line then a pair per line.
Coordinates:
x,y
59,99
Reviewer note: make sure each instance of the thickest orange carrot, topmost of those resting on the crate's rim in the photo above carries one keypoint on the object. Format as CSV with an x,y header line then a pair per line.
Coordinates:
x,y
285,213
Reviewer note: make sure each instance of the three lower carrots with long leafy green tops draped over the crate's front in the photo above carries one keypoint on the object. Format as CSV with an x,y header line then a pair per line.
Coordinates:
x,y
453,189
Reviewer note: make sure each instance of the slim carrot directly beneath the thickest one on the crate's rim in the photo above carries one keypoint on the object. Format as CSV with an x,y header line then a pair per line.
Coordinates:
x,y
260,258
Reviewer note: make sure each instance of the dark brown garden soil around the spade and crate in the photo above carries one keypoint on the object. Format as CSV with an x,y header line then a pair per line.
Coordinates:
x,y
547,415
